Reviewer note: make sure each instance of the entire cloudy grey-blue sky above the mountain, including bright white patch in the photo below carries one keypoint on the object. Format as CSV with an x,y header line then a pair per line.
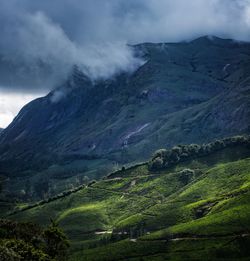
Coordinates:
x,y
41,40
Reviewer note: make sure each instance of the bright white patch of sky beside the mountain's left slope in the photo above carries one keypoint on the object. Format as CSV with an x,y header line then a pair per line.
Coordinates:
x,y
11,104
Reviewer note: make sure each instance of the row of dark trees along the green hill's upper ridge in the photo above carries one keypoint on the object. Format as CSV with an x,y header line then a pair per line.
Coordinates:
x,y
164,158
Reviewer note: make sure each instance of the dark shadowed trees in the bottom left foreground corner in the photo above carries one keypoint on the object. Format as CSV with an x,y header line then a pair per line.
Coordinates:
x,y
28,241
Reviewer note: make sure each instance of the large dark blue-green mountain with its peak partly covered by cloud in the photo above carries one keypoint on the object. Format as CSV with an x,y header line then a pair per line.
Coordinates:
x,y
188,92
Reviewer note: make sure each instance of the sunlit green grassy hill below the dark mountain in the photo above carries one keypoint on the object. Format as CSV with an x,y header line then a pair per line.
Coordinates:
x,y
196,208
